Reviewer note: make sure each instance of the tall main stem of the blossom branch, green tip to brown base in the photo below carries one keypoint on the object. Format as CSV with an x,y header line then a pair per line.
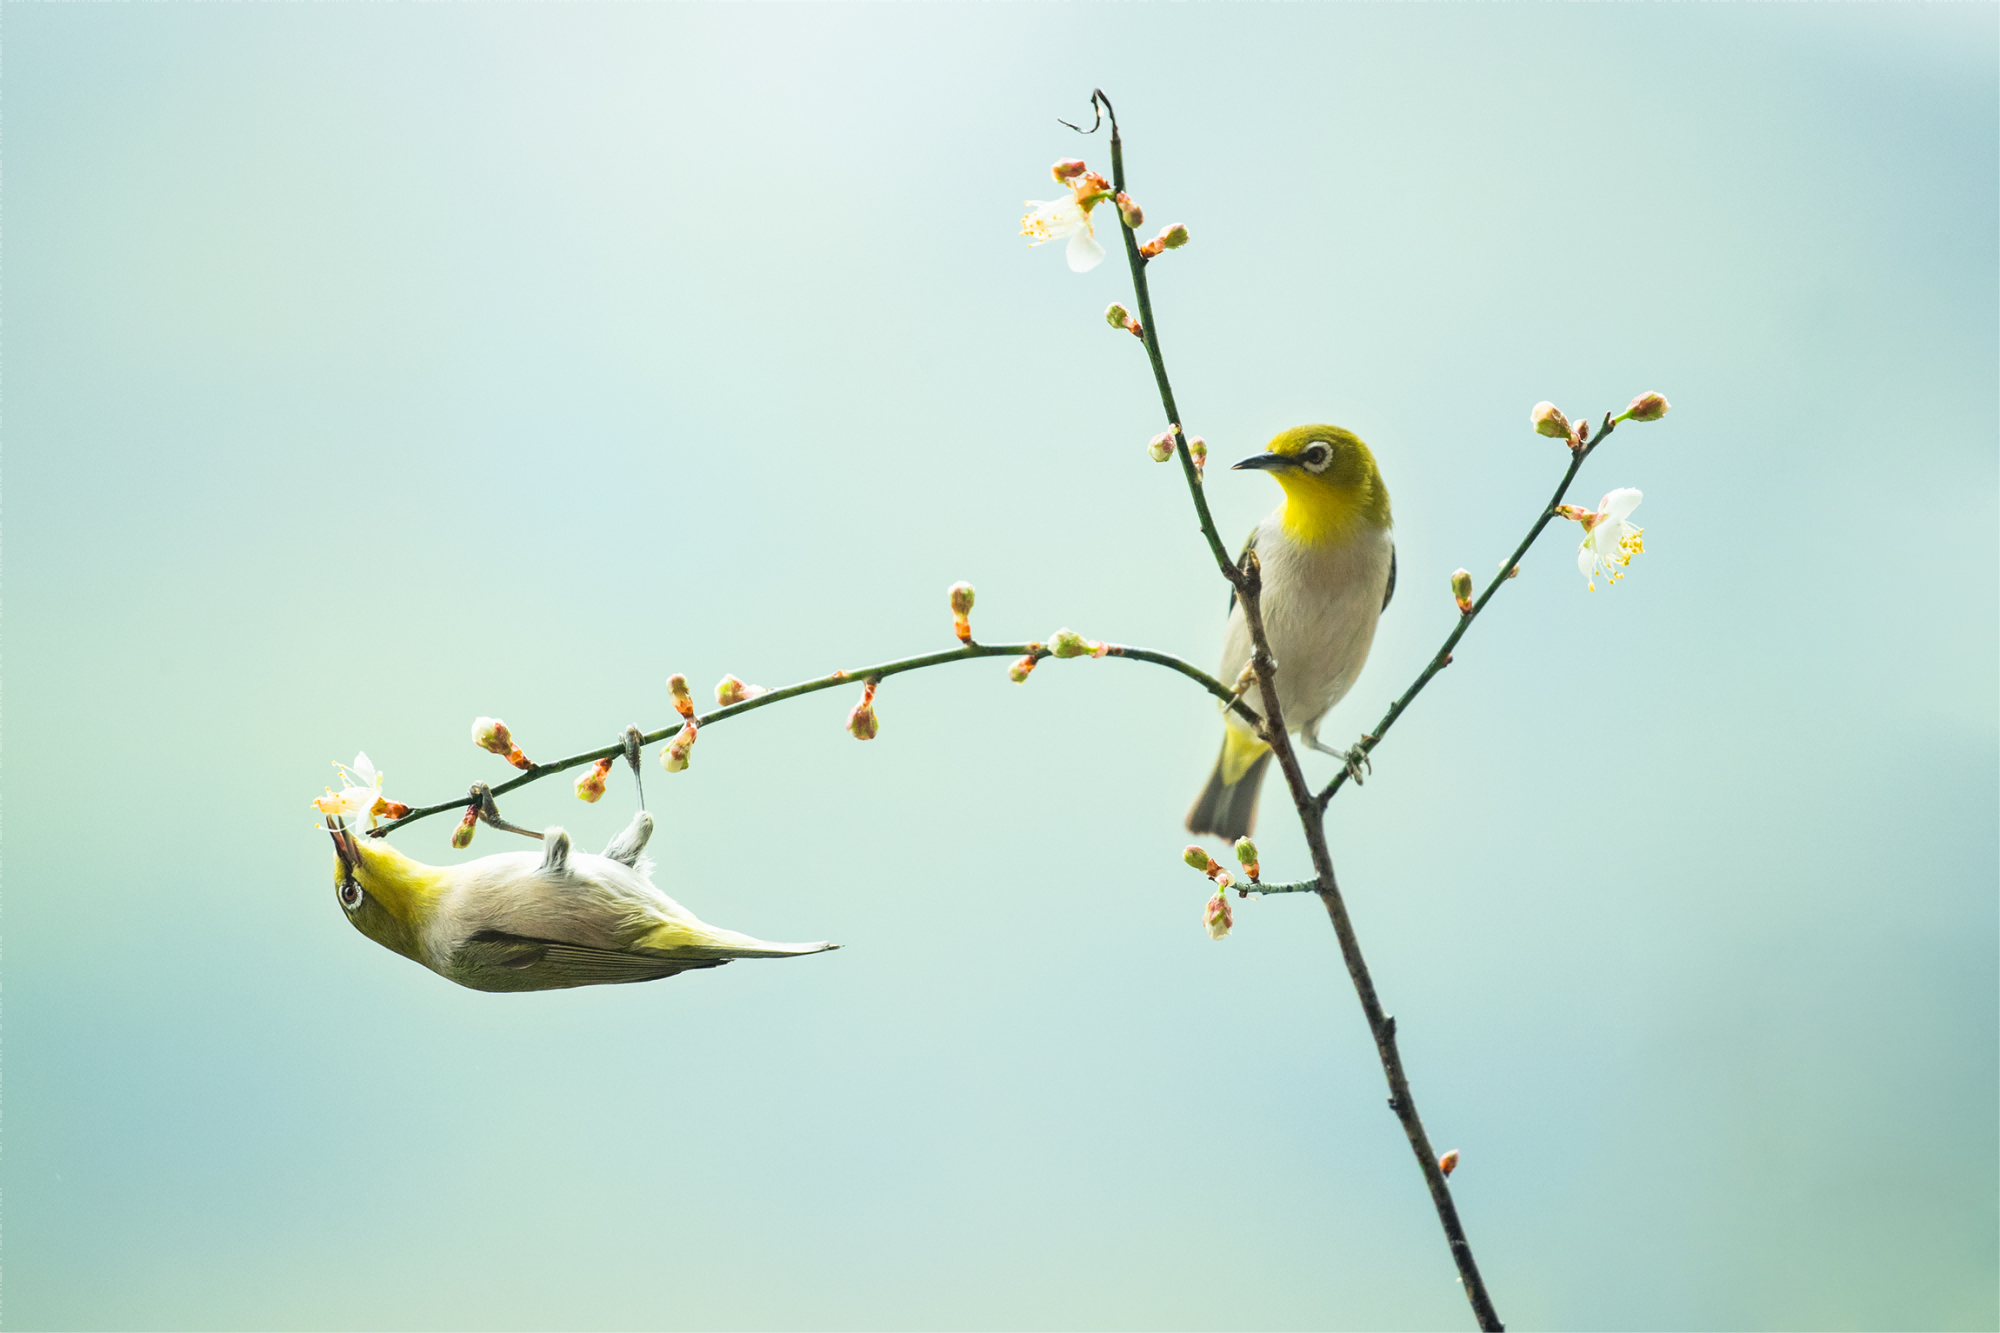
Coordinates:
x,y
1311,812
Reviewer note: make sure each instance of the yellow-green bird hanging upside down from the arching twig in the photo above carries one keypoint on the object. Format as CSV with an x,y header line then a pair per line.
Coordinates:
x,y
535,922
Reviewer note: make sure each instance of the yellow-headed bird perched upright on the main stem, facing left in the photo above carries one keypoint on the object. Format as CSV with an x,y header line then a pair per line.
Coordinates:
x,y
1329,569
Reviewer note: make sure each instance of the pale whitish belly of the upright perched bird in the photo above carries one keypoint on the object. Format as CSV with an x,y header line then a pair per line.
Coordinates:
x,y
1321,609
